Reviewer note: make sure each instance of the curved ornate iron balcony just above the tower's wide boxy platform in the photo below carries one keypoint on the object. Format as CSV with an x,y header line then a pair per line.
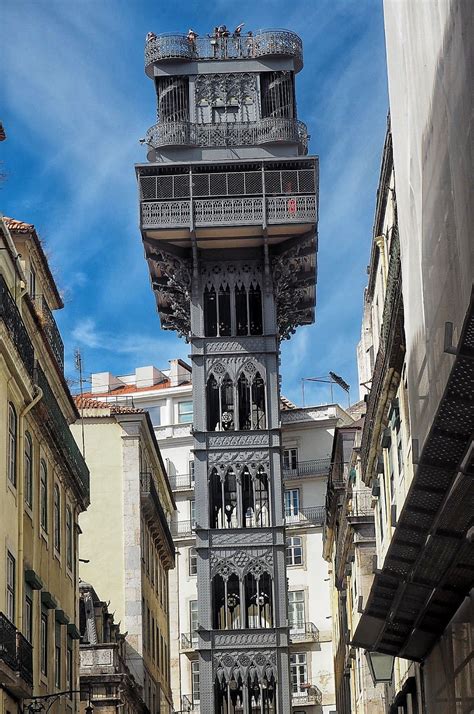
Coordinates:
x,y
272,130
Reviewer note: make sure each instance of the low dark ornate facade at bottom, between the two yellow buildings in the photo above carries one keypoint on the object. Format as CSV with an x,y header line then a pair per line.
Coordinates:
x,y
106,681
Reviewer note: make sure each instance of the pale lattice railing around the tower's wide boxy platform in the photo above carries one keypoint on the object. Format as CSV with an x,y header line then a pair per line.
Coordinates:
x,y
228,211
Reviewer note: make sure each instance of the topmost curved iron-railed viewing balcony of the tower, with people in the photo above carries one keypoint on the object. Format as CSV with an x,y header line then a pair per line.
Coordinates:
x,y
265,43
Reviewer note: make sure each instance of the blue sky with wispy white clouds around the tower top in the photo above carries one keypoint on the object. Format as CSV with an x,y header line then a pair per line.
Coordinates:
x,y
75,101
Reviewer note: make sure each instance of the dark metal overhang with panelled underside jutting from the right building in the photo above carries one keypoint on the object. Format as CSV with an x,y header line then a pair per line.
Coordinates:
x,y
429,566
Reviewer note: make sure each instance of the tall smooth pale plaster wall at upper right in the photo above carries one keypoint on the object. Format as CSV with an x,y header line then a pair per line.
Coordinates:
x,y
430,58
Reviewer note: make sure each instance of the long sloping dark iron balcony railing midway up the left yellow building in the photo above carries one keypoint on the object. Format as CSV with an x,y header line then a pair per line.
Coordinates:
x,y
61,433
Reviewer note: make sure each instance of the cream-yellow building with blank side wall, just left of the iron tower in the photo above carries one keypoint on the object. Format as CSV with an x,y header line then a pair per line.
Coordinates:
x,y
126,546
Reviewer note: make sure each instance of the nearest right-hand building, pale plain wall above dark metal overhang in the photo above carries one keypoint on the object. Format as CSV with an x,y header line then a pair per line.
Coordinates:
x,y
416,446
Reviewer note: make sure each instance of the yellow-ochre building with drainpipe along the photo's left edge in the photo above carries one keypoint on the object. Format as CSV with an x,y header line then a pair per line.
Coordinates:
x,y
44,484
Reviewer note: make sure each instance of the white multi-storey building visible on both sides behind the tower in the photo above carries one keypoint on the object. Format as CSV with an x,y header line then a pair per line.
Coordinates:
x,y
307,443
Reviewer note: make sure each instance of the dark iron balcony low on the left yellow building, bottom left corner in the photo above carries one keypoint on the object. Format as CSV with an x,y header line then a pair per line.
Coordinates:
x,y
16,659
